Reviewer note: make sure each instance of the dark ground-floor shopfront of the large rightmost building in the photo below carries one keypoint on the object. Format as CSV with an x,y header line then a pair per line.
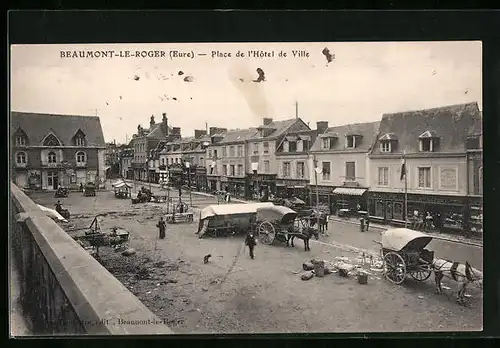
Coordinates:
x,y
448,212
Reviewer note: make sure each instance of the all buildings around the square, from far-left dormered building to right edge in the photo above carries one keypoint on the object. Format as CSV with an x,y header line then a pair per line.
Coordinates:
x,y
342,166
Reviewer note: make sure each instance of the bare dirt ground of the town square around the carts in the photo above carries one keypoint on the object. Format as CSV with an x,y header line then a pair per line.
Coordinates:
x,y
233,293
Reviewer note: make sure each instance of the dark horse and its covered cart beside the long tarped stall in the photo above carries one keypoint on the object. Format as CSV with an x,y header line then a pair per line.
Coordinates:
x,y
283,224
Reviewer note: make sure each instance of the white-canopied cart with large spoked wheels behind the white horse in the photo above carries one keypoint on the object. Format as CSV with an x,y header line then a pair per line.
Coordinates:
x,y
403,252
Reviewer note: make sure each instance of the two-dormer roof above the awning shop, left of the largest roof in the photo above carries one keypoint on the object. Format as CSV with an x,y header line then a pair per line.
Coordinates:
x,y
367,131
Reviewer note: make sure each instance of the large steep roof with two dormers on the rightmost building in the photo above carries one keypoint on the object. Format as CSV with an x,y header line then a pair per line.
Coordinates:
x,y
450,124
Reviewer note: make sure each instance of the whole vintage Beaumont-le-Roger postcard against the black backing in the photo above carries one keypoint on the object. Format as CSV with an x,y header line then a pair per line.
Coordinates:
x,y
324,187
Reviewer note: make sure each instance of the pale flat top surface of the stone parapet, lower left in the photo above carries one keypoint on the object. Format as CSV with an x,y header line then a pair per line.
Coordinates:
x,y
101,302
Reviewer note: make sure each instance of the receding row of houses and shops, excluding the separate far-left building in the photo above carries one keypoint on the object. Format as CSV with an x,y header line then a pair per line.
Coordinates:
x,y
342,166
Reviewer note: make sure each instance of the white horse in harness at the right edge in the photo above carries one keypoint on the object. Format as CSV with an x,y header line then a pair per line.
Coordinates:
x,y
463,274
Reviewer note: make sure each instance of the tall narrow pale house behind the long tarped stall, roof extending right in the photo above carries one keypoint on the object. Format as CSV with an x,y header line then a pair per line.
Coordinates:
x,y
262,167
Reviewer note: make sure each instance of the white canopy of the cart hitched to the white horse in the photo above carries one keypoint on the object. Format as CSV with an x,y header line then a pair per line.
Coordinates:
x,y
398,239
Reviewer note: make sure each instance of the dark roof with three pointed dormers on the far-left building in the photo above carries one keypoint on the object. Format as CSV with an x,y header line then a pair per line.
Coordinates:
x,y
37,126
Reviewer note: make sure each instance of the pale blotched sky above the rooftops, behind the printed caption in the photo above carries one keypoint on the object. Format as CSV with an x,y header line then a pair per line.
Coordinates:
x,y
363,81
